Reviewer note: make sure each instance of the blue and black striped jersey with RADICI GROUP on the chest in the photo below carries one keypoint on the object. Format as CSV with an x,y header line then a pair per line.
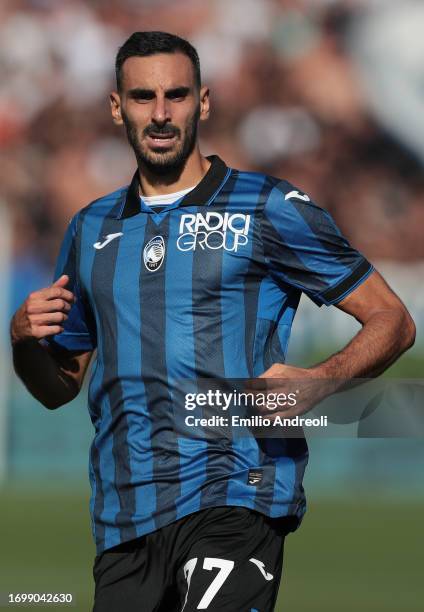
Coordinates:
x,y
207,287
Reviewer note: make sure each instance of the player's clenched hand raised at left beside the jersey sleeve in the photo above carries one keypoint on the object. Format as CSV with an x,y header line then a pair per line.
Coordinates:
x,y
43,312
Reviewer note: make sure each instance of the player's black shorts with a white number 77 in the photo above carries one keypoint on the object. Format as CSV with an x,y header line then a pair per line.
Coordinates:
x,y
225,558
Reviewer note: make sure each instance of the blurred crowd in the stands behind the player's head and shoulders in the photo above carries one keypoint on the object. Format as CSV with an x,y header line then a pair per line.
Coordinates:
x,y
324,93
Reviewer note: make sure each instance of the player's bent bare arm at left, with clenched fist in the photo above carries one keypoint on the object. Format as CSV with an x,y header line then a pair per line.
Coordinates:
x,y
52,375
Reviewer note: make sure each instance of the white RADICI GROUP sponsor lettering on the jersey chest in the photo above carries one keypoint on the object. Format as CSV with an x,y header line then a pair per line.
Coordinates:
x,y
213,231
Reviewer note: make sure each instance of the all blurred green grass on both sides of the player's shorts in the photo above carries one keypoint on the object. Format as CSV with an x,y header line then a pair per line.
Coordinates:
x,y
361,554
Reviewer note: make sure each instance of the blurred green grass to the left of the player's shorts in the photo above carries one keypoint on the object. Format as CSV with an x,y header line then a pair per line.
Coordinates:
x,y
46,545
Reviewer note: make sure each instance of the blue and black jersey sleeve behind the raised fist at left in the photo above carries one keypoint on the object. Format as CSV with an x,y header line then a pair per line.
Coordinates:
x,y
79,329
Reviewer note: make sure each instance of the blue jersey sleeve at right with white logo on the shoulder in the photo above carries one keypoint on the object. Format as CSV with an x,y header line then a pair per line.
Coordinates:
x,y
304,248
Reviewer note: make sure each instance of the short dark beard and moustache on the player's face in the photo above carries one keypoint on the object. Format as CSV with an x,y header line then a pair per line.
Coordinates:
x,y
163,162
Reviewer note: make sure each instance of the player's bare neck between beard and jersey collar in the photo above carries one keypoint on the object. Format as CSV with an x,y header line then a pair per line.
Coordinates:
x,y
189,175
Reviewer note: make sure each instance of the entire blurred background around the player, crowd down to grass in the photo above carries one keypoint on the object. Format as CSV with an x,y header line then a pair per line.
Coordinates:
x,y
328,94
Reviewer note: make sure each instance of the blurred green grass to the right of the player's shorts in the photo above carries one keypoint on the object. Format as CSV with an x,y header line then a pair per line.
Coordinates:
x,y
356,555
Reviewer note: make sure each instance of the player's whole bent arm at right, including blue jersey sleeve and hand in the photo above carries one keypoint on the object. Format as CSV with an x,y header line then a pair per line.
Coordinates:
x,y
305,249
